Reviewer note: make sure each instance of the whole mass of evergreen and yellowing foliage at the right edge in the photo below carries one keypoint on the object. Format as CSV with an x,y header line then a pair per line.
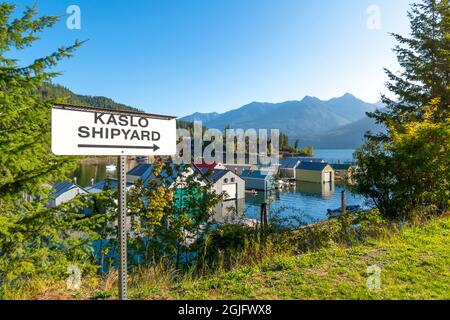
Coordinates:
x,y
404,171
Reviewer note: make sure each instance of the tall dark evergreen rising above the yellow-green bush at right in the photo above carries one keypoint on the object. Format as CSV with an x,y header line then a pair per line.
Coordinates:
x,y
425,62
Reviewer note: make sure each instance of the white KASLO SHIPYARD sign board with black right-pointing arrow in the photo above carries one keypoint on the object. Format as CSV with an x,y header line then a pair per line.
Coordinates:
x,y
90,131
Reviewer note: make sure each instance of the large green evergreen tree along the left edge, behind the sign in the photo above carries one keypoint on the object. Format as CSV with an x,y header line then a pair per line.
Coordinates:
x,y
34,239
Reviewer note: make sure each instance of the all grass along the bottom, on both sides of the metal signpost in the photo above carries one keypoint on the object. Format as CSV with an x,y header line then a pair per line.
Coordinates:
x,y
414,263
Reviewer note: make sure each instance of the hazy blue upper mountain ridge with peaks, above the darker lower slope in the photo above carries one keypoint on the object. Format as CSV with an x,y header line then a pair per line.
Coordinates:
x,y
294,118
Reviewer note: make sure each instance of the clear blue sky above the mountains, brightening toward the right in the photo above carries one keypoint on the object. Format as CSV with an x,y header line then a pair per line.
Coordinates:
x,y
179,57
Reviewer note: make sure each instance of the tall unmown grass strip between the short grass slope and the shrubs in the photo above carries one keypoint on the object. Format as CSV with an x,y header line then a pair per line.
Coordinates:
x,y
229,247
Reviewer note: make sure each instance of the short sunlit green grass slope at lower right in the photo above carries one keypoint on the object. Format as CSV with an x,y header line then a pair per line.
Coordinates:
x,y
415,264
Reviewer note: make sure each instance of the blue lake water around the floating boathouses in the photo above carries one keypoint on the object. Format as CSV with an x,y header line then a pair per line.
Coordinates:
x,y
308,201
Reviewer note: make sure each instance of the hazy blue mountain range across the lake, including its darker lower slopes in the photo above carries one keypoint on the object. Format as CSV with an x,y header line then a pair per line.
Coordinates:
x,y
338,123
